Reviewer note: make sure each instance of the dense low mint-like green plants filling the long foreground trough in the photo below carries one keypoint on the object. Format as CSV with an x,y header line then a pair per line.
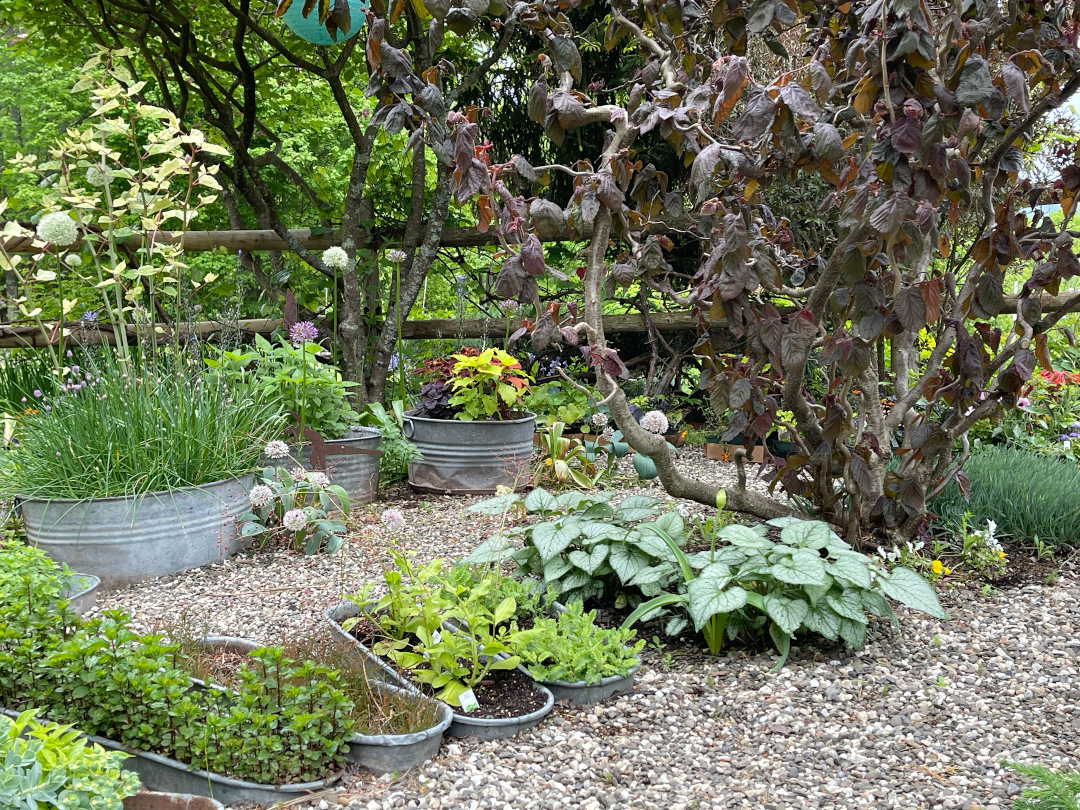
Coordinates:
x,y
285,721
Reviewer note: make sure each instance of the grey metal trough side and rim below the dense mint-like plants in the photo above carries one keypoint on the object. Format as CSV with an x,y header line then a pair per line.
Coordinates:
x,y
163,774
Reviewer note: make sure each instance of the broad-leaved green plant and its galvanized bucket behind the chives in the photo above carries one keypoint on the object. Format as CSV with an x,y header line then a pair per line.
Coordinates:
x,y
291,375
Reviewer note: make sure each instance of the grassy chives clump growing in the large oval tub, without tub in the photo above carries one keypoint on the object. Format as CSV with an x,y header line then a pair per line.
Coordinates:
x,y
118,428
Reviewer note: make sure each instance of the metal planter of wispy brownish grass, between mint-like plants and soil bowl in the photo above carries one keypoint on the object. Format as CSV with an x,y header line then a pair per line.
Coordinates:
x,y
376,753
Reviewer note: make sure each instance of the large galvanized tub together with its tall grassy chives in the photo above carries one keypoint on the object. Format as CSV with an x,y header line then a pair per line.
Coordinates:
x,y
137,468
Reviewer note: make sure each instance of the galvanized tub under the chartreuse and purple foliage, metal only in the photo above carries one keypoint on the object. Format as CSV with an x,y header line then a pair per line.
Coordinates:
x,y
469,458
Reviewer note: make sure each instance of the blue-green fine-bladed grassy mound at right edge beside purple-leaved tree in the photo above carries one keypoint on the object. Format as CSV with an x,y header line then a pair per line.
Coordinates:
x,y
1030,496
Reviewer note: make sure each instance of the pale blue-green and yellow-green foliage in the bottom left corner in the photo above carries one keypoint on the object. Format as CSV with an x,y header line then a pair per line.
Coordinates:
x,y
44,765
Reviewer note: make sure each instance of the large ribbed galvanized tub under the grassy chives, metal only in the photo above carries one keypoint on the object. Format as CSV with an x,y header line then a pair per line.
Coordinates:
x,y
127,539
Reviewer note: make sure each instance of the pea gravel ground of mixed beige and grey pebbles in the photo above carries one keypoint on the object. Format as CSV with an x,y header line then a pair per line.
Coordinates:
x,y
920,719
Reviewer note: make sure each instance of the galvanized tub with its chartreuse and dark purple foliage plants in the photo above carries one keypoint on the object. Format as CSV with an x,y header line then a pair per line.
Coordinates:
x,y
470,425
